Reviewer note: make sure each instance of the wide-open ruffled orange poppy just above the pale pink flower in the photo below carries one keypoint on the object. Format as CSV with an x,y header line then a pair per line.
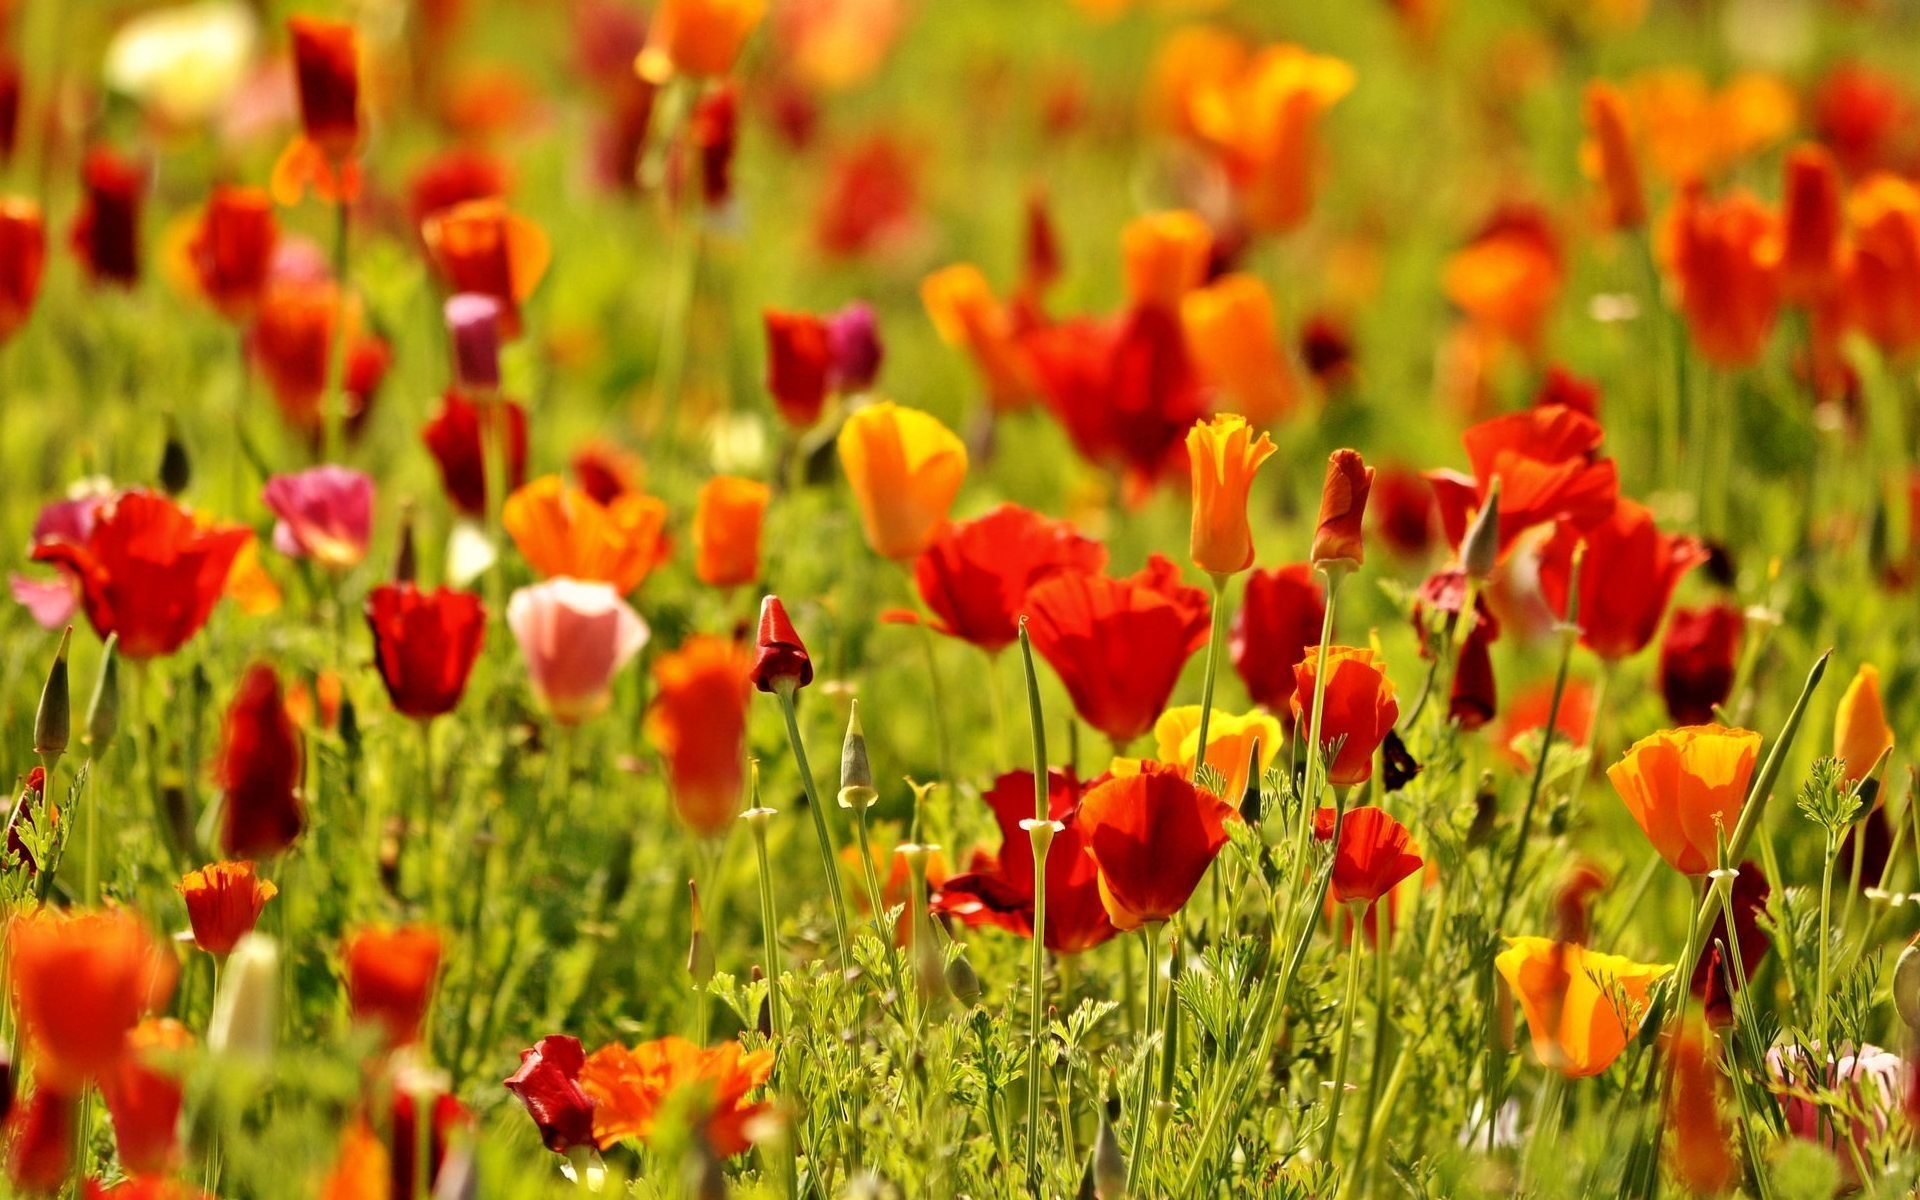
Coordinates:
x,y
565,533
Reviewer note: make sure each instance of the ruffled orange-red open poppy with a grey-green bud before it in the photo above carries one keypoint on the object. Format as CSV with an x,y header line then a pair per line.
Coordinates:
x,y
1548,466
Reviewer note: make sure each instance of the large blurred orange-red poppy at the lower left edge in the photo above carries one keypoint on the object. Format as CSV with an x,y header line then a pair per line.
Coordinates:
x,y
82,982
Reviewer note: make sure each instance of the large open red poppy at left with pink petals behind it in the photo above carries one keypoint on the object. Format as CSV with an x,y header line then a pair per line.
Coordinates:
x,y
147,571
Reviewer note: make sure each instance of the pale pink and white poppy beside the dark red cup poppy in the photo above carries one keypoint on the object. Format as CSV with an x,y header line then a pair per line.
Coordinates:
x,y
575,636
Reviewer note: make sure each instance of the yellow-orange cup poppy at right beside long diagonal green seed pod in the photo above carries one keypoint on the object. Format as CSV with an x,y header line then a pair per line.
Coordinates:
x,y
1687,786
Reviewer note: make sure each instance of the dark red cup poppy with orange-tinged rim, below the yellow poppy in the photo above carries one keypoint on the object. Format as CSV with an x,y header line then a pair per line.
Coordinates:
x,y
1153,838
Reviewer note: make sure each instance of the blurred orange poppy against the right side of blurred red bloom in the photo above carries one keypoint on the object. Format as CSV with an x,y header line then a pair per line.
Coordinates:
x,y
1230,335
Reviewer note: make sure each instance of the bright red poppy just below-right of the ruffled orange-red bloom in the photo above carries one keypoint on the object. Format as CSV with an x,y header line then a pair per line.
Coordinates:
x,y
1629,575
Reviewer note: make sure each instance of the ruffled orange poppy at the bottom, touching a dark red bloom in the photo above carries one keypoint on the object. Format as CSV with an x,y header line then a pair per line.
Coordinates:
x,y
631,1088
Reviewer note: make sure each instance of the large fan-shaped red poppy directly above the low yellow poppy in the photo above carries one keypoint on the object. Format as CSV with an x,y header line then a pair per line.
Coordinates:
x,y
1118,644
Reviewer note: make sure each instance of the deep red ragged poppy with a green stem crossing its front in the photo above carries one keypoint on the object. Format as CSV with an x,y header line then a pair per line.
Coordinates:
x,y
997,890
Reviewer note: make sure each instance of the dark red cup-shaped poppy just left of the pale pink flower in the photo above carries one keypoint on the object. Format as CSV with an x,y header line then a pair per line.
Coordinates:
x,y
425,646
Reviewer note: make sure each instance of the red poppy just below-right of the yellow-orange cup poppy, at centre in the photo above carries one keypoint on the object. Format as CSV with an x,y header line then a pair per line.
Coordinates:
x,y
976,573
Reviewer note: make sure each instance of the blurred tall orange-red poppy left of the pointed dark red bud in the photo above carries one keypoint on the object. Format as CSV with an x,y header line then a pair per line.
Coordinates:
x,y
700,727
